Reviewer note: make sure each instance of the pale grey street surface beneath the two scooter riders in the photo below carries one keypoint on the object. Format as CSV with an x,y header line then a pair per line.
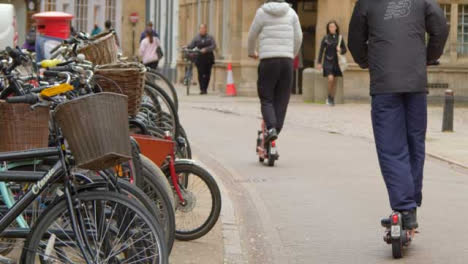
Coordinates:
x,y
323,201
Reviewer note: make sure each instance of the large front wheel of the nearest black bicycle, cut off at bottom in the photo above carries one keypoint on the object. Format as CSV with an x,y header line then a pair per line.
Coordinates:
x,y
117,230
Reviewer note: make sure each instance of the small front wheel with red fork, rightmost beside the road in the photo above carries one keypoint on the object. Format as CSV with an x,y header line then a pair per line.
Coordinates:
x,y
200,212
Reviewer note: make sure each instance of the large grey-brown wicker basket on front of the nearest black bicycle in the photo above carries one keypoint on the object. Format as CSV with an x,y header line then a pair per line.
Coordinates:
x,y
96,129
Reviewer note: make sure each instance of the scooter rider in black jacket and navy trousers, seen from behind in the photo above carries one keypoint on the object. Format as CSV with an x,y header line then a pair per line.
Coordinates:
x,y
389,38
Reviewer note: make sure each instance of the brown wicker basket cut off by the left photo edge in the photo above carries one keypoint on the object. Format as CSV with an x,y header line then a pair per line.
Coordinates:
x,y
22,128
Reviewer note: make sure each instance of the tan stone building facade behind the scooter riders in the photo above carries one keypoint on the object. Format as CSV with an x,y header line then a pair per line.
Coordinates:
x,y
229,22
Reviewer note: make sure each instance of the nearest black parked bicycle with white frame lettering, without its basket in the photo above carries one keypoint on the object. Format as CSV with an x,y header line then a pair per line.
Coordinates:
x,y
78,226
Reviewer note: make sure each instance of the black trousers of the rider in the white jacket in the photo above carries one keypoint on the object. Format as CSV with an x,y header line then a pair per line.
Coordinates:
x,y
275,77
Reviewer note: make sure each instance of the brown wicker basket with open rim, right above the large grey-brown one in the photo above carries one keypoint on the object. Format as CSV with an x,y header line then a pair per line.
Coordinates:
x,y
130,78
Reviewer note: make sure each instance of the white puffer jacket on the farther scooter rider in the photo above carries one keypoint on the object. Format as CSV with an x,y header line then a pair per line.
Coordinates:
x,y
277,27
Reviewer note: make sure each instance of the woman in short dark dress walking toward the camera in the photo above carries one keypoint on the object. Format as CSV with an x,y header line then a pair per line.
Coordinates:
x,y
331,67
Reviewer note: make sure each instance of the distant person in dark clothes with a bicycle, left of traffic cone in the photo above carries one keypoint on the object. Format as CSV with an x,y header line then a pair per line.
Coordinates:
x,y
204,62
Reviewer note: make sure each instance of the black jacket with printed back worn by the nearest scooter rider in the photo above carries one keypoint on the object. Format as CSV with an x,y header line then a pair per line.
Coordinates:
x,y
389,38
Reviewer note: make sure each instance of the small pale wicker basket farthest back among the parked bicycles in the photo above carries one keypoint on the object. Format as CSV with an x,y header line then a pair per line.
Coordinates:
x,y
102,49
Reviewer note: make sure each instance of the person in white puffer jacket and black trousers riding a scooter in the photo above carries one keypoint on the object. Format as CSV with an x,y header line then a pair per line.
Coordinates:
x,y
277,27
